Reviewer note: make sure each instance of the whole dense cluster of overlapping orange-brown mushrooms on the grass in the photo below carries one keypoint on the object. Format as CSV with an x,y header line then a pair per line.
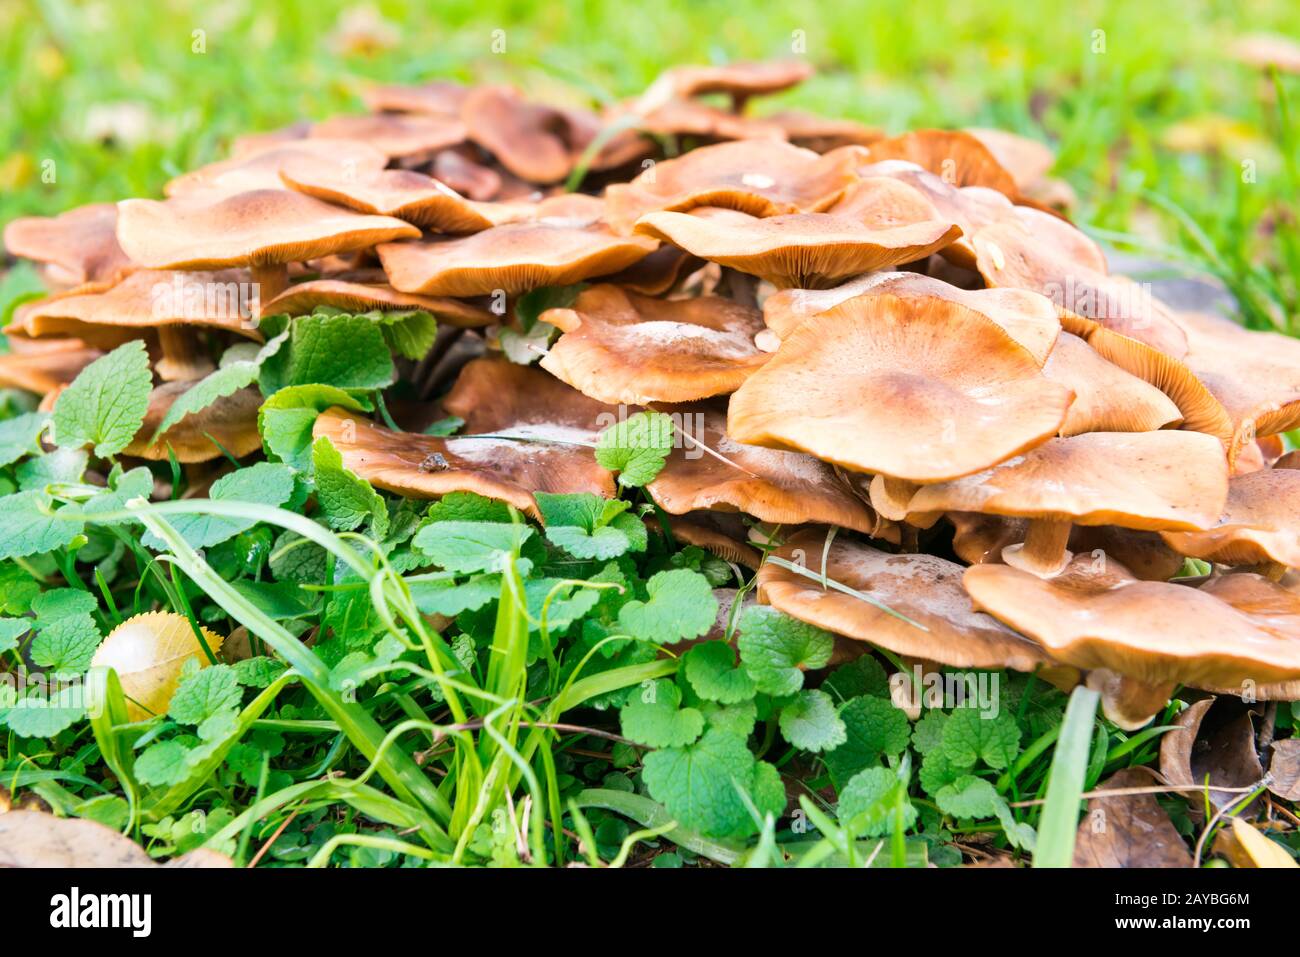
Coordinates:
x,y
894,363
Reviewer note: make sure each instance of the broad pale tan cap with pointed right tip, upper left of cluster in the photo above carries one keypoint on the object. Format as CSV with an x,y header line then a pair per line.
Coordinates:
x,y
259,228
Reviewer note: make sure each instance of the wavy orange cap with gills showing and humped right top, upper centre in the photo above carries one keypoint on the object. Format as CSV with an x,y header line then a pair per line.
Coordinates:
x,y
878,224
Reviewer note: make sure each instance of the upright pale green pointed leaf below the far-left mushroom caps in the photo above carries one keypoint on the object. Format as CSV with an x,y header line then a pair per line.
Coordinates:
x,y
107,402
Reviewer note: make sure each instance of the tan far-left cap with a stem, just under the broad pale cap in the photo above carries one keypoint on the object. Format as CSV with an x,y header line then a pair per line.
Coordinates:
x,y
148,300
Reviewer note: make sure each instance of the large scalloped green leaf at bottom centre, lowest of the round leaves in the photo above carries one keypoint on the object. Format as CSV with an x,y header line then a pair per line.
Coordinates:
x,y
700,785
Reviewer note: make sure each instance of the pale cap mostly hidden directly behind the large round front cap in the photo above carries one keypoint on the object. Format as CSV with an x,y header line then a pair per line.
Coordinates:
x,y
1028,318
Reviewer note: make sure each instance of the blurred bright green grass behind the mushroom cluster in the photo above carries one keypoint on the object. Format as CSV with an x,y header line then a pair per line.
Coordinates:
x,y
1151,119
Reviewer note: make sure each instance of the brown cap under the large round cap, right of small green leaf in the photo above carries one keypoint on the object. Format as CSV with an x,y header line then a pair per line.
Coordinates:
x,y
775,487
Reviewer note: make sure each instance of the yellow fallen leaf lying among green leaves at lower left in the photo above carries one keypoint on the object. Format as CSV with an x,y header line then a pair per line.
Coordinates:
x,y
149,652
